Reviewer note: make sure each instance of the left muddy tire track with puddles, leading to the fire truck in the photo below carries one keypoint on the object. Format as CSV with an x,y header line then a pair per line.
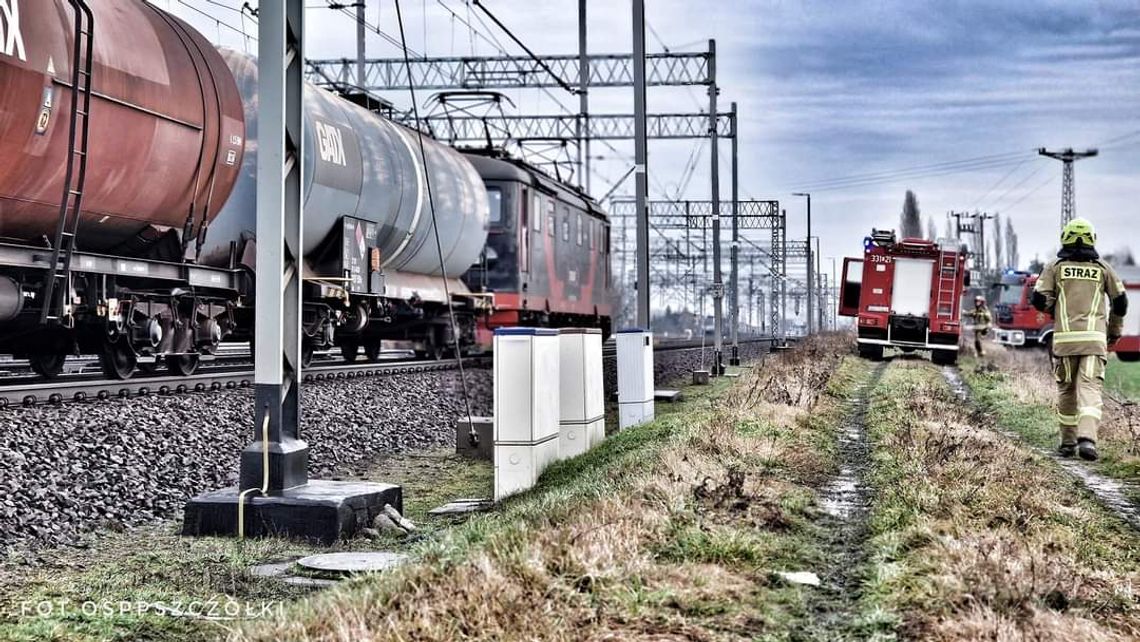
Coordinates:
x,y
846,505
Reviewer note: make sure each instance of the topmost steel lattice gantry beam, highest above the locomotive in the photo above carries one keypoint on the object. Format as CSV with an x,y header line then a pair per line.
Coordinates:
x,y
512,72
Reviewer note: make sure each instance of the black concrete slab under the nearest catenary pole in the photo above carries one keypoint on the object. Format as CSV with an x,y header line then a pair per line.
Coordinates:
x,y
321,511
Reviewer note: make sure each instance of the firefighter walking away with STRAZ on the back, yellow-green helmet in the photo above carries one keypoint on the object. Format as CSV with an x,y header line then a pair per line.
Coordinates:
x,y
1088,303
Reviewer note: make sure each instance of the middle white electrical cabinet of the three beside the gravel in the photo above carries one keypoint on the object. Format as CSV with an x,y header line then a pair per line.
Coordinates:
x,y
582,402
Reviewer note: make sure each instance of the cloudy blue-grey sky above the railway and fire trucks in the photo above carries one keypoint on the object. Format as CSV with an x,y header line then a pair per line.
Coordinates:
x,y
853,101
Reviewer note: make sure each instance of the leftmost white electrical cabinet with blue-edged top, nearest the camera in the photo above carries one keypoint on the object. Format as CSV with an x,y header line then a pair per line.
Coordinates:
x,y
527,410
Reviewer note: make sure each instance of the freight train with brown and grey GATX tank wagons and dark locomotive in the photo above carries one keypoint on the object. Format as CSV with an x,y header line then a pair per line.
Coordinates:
x,y
128,185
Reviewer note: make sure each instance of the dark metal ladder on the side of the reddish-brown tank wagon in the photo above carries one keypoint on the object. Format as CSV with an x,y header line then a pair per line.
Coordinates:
x,y
70,207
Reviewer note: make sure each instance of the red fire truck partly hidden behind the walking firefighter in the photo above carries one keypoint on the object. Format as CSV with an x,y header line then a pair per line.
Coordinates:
x,y
1021,324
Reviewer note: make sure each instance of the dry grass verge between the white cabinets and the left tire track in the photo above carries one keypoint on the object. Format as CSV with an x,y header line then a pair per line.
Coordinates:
x,y
682,549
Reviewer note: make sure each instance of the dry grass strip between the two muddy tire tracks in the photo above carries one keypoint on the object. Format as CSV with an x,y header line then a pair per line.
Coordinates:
x,y
978,538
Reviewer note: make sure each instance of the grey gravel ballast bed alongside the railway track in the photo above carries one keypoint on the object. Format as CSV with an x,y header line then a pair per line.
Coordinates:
x,y
75,469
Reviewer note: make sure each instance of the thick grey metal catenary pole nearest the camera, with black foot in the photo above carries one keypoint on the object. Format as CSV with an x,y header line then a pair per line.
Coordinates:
x,y
278,359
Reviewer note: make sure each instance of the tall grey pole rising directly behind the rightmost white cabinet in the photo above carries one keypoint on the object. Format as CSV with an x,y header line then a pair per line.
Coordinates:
x,y
641,160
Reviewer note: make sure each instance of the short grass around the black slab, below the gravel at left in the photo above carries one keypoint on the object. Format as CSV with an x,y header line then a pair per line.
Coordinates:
x,y
100,594
